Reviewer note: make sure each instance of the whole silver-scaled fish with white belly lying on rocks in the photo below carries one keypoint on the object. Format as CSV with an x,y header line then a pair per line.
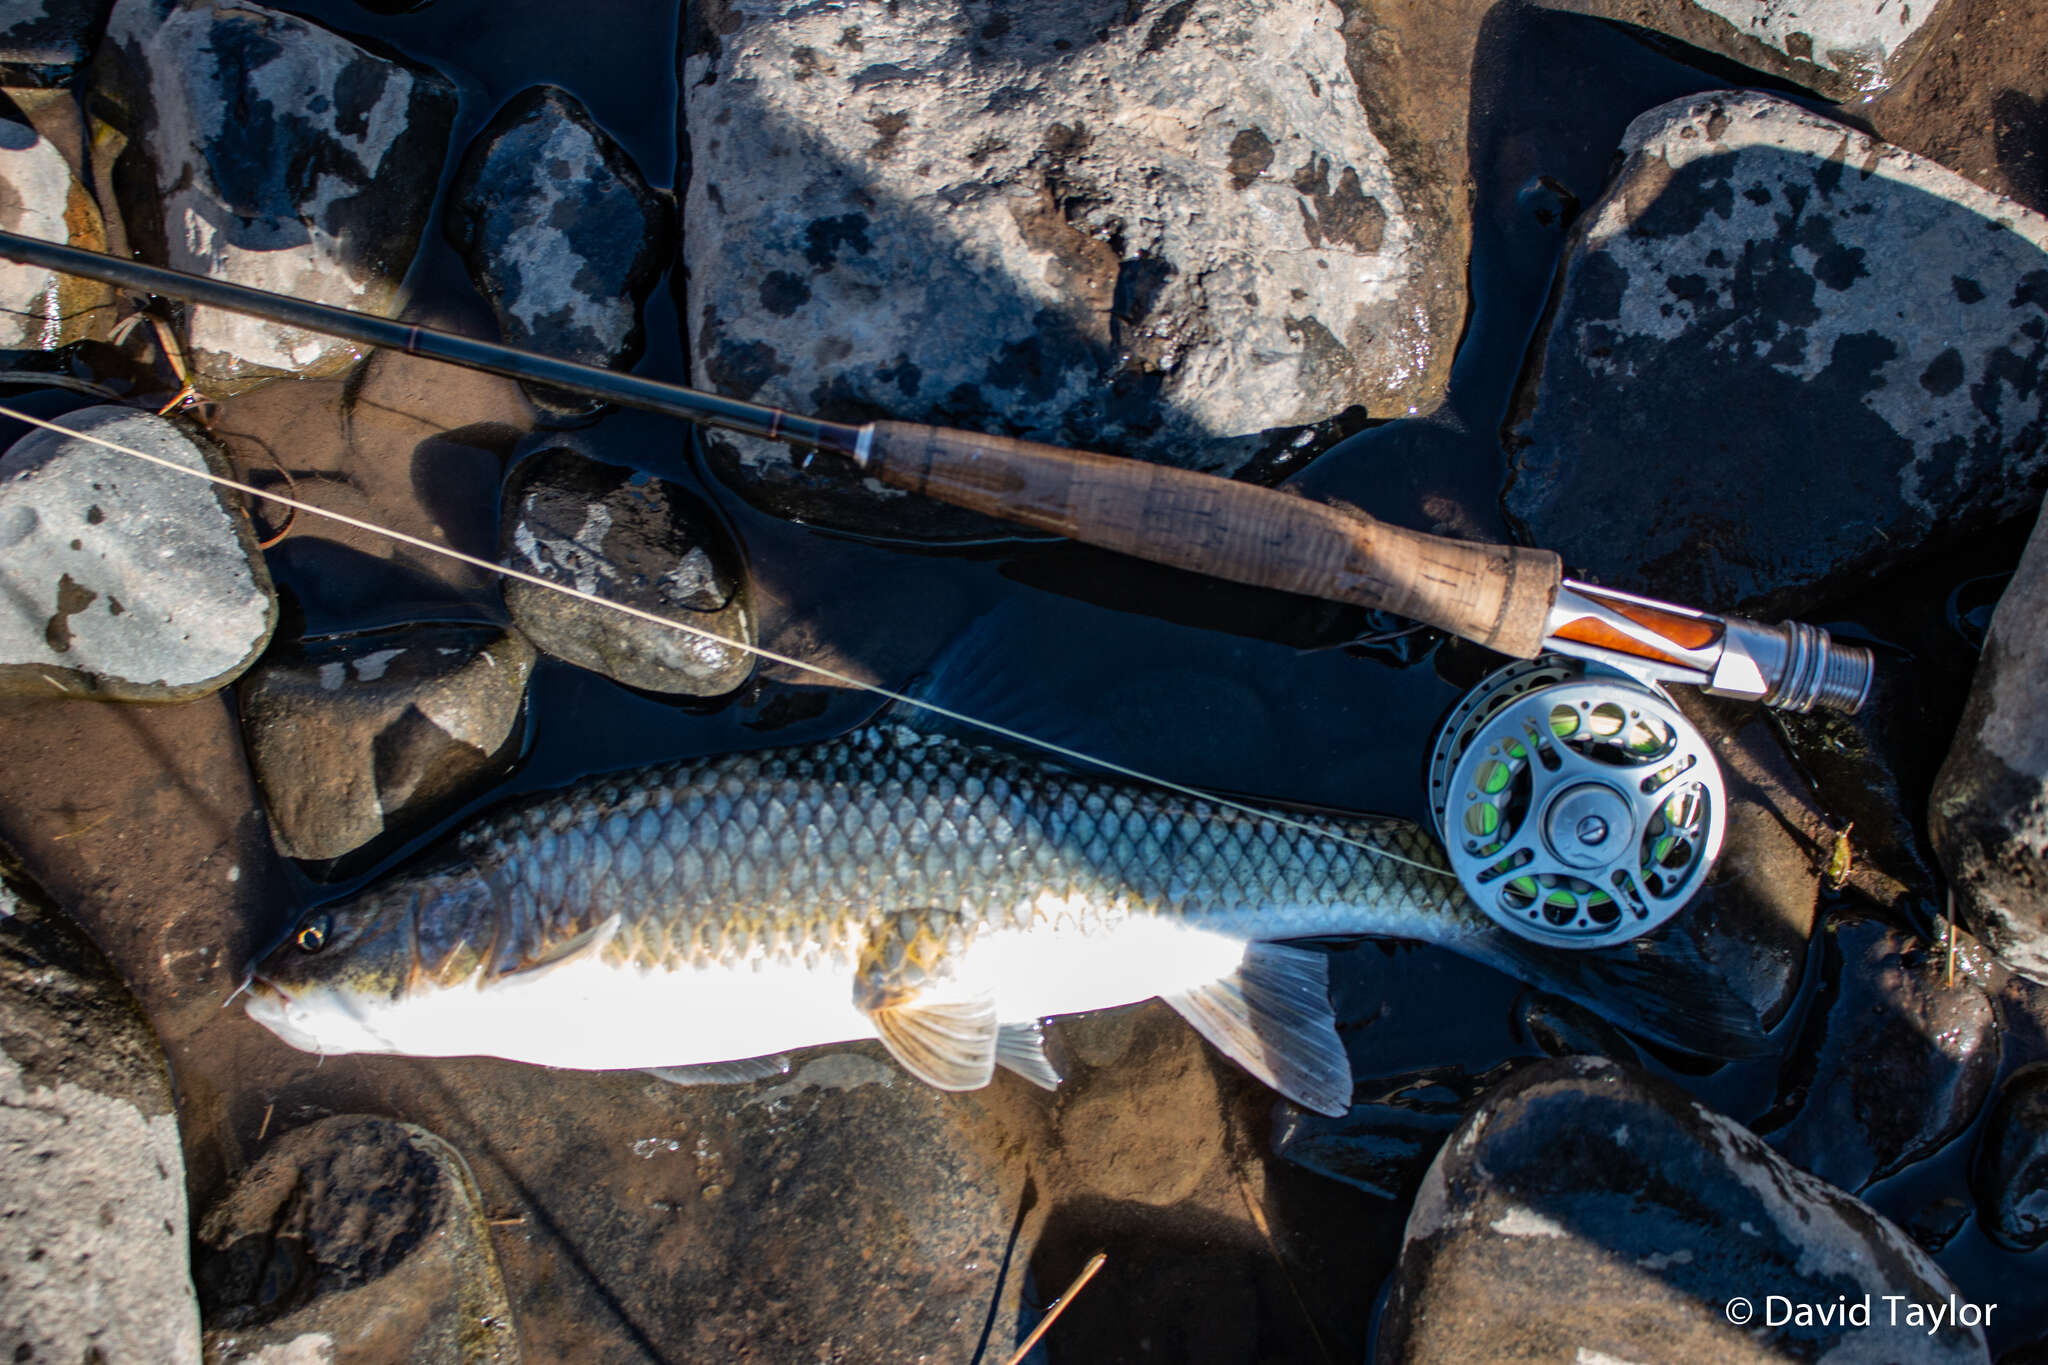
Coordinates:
x,y
701,920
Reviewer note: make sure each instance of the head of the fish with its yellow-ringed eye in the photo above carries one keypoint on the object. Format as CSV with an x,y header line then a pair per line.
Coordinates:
x,y
349,973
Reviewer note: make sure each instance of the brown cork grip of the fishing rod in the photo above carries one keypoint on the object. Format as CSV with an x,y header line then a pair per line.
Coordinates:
x,y
1494,595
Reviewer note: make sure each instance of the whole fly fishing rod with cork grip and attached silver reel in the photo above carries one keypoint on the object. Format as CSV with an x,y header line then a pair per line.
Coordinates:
x,y
1578,805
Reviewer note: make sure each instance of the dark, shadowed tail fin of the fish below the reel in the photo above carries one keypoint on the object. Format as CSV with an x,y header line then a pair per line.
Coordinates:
x,y
1658,987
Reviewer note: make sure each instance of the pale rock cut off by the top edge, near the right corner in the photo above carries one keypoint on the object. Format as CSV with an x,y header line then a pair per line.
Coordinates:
x,y
1840,48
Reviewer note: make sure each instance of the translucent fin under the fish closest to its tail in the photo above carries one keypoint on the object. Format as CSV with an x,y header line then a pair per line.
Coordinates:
x,y
1273,1018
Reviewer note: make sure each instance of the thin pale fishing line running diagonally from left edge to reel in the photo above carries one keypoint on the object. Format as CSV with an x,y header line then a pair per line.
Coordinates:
x,y
759,652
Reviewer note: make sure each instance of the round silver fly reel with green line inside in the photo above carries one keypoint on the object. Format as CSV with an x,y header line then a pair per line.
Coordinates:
x,y
1576,801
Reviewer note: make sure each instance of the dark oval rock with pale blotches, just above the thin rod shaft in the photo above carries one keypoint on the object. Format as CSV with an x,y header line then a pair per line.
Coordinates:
x,y
562,236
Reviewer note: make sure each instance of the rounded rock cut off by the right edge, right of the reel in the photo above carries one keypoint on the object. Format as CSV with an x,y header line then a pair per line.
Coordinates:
x,y
1988,816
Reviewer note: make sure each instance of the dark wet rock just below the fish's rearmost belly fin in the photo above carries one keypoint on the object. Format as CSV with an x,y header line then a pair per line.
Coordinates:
x,y
1394,1131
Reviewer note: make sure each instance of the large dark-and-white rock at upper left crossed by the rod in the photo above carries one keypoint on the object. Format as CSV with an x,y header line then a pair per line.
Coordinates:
x,y
269,152
